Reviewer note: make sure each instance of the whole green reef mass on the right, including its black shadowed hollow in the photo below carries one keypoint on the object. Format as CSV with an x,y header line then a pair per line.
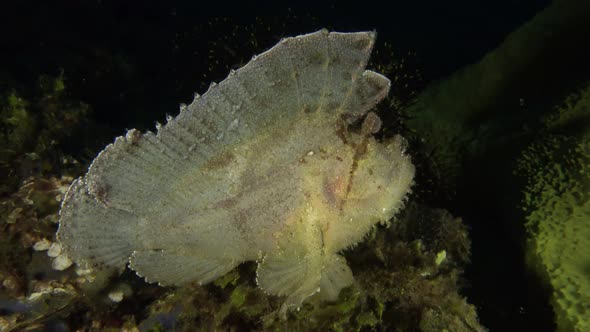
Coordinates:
x,y
491,136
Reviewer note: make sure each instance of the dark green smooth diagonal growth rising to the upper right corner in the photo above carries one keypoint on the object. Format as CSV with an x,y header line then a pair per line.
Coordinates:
x,y
495,103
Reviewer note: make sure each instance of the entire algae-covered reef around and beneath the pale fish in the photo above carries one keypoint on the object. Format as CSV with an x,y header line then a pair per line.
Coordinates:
x,y
500,207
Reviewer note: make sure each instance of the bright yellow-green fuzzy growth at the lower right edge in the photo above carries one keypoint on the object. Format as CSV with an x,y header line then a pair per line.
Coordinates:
x,y
557,206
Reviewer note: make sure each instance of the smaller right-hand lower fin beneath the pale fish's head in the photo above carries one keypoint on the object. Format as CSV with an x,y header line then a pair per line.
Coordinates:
x,y
335,275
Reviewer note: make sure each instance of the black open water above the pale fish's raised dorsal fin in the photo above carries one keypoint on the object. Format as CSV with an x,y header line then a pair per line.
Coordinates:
x,y
136,60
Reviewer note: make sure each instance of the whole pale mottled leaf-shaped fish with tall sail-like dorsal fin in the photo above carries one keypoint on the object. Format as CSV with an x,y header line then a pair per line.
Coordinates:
x,y
263,167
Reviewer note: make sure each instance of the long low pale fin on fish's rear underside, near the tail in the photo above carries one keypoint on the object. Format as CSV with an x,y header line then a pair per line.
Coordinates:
x,y
169,267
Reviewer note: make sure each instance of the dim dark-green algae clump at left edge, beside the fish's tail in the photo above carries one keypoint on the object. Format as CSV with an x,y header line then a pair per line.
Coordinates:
x,y
32,128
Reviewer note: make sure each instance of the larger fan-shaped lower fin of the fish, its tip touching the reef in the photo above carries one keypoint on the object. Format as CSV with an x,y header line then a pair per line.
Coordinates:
x,y
291,275
